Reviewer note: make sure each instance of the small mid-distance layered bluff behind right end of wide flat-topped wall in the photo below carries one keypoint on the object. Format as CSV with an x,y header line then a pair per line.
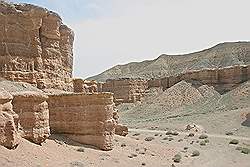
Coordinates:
x,y
126,90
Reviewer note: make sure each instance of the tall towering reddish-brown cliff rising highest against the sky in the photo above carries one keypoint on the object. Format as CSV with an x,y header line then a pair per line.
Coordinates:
x,y
35,46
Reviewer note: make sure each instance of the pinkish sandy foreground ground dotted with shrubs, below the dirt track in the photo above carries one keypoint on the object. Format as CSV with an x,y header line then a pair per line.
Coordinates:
x,y
131,151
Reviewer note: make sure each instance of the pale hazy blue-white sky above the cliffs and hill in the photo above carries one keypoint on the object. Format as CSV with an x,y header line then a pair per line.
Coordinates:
x,y
111,32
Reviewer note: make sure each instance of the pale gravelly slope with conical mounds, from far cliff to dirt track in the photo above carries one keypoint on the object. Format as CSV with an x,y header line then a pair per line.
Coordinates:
x,y
197,104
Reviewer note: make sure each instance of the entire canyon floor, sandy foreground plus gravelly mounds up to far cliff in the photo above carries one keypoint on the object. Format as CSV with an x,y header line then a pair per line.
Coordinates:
x,y
158,132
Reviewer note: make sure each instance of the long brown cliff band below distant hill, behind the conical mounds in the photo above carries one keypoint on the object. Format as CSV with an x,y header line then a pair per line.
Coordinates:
x,y
223,79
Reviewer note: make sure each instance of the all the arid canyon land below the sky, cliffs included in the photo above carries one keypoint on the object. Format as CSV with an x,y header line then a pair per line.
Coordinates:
x,y
175,111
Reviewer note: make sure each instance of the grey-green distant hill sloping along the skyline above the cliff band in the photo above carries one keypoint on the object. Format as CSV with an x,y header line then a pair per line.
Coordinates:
x,y
221,55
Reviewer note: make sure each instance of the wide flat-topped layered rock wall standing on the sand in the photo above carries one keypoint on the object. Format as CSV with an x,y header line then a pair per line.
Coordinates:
x,y
86,118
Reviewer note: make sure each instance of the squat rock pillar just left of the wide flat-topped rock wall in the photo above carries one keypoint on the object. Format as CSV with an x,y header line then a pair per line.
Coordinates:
x,y
32,108
